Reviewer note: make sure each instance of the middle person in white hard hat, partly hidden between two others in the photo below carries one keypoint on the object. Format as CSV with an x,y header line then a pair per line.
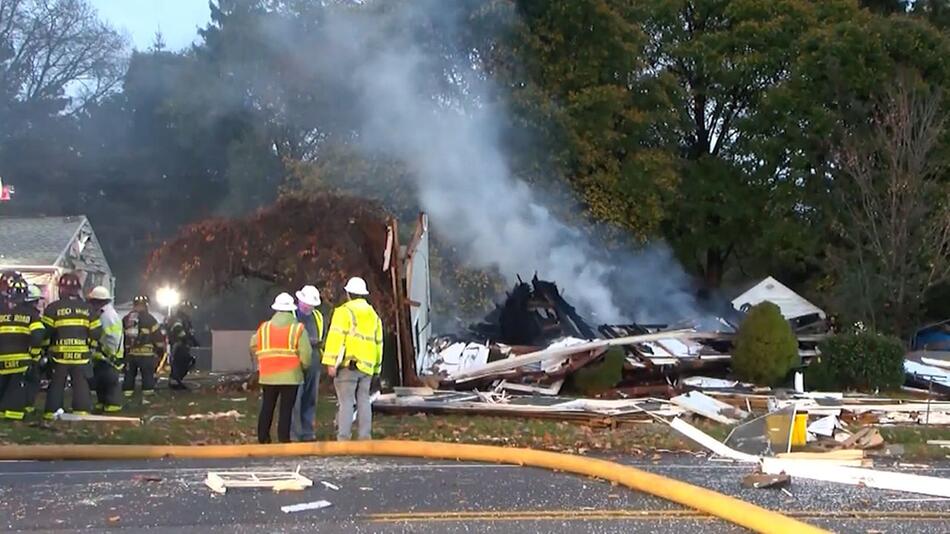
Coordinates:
x,y
305,410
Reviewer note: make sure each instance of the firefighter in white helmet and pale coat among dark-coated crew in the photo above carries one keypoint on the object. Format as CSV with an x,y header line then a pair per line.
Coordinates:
x,y
107,353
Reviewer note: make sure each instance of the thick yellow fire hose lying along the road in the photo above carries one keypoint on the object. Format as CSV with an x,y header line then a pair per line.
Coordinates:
x,y
716,504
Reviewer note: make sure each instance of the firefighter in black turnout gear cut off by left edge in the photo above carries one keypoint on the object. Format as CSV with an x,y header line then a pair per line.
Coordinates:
x,y
21,333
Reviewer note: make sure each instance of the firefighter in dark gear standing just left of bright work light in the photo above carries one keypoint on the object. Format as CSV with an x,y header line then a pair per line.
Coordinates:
x,y
144,347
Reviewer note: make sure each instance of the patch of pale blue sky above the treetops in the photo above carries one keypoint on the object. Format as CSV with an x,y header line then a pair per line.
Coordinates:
x,y
178,20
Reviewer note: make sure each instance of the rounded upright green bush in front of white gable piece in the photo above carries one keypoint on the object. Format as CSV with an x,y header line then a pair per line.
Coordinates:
x,y
766,348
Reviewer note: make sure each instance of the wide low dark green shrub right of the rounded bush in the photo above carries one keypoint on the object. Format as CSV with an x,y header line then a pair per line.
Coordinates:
x,y
862,361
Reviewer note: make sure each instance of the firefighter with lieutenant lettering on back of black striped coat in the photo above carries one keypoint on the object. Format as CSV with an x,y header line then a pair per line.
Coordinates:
x,y
72,326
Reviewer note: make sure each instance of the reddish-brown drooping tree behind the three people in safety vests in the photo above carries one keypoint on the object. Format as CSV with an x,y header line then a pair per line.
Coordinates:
x,y
324,240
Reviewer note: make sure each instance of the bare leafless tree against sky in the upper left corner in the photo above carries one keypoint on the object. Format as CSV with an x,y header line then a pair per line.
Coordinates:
x,y
55,55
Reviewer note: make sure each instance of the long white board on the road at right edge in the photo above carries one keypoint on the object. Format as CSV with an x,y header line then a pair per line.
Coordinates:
x,y
856,476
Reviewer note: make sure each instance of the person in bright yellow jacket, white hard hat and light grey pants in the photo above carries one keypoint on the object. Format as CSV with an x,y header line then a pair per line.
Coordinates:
x,y
354,358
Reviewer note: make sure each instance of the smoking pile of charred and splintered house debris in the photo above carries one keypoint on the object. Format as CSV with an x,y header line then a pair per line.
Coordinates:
x,y
536,343
